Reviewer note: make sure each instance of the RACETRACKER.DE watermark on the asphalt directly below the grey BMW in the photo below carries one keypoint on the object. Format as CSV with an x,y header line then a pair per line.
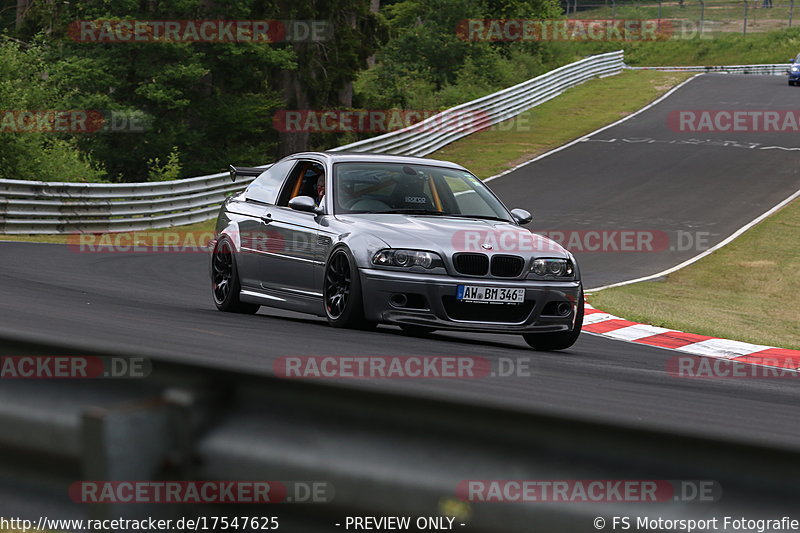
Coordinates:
x,y
401,367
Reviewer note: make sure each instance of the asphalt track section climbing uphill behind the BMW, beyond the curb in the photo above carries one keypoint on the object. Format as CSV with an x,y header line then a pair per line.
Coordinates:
x,y
641,175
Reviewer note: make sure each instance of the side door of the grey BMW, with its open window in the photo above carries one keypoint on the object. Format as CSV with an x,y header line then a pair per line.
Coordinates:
x,y
288,264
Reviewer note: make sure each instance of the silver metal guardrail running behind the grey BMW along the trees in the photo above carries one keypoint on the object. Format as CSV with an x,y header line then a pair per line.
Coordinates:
x,y
29,207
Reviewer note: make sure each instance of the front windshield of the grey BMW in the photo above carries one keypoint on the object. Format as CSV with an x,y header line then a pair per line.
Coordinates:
x,y
413,189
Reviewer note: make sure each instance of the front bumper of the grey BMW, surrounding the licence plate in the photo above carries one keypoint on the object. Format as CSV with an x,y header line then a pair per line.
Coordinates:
x,y
439,309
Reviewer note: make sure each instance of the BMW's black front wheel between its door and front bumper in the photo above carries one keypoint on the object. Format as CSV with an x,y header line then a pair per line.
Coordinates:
x,y
341,292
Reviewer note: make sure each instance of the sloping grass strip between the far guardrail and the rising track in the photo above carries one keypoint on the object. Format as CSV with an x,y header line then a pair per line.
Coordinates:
x,y
571,115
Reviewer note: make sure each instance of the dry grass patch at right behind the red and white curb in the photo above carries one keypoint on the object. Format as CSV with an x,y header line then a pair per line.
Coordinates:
x,y
746,290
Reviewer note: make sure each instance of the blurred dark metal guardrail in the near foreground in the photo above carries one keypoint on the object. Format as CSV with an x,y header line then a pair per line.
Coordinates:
x,y
380,453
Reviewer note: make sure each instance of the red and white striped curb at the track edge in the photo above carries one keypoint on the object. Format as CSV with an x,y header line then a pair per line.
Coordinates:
x,y
605,324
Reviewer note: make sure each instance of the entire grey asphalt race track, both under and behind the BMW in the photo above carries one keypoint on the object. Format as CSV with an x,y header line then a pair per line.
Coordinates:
x,y
160,304
